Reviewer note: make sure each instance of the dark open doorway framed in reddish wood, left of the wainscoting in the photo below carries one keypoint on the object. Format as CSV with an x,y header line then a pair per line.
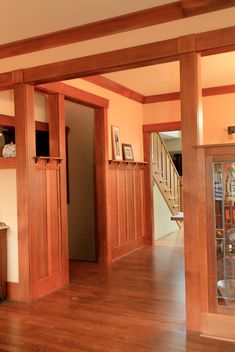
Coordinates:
x,y
81,175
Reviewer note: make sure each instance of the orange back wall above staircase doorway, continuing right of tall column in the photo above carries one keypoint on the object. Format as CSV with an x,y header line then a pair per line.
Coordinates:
x,y
218,114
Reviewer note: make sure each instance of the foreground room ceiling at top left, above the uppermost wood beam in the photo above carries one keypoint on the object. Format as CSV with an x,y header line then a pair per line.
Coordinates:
x,y
26,18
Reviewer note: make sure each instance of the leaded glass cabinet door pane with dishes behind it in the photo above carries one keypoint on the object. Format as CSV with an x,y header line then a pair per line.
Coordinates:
x,y
224,211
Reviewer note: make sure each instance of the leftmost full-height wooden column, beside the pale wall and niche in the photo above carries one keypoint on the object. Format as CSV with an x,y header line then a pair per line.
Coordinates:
x,y
25,142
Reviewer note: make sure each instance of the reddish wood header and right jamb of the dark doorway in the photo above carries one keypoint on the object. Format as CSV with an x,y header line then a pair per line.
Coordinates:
x,y
100,106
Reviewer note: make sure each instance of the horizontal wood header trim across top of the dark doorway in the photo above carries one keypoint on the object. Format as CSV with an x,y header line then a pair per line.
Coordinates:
x,y
74,94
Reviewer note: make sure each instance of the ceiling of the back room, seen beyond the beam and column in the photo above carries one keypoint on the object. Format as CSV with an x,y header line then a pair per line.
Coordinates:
x,y
217,70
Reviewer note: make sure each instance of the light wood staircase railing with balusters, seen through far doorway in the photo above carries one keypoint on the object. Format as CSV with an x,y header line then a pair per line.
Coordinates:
x,y
165,175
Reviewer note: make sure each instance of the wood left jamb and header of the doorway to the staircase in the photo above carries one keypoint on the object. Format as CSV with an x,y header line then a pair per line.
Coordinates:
x,y
147,130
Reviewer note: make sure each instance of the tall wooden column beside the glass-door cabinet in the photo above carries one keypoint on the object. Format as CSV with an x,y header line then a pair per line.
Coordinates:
x,y
191,118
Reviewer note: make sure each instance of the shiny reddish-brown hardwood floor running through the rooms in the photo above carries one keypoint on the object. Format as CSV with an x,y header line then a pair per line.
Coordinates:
x,y
135,305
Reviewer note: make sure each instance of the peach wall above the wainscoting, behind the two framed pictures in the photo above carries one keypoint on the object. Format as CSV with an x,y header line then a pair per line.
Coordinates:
x,y
122,112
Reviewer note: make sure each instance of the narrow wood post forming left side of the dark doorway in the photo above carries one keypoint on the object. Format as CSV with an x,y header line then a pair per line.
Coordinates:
x,y
57,142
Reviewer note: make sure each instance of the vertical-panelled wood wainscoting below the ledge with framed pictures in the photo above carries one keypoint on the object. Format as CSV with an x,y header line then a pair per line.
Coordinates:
x,y
127,225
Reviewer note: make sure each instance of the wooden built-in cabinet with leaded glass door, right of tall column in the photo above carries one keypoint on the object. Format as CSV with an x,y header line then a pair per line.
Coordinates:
x,y
216,202
